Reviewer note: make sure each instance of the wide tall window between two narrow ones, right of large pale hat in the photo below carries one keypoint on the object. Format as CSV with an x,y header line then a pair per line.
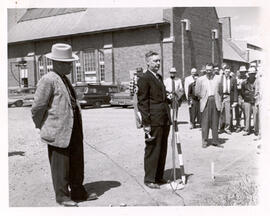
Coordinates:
x,y
89,60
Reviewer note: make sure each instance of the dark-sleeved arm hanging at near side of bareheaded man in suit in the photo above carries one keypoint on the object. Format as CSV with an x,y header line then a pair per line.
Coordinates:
x,y
144,100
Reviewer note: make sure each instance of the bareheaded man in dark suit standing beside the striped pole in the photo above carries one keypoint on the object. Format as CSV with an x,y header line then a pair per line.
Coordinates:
x,y
155,112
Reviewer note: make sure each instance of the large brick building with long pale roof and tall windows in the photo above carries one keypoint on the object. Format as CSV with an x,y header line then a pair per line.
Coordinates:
x,y
111,41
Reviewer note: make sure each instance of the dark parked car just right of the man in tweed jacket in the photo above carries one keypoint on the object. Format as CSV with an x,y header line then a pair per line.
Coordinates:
x,y
94,95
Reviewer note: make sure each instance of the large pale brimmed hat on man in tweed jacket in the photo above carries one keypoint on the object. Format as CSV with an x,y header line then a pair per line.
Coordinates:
x,y
62,52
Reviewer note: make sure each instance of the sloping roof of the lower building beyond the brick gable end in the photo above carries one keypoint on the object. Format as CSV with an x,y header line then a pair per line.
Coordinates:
x,y
234,52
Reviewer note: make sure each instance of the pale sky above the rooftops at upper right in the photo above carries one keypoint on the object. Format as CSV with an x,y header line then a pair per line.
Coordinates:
x,y
245,23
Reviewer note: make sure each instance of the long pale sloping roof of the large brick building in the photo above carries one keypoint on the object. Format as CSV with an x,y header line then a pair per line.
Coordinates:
x,y
44,23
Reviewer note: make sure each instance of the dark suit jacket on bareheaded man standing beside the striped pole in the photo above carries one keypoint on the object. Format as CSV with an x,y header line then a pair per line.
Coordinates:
x,y
152,100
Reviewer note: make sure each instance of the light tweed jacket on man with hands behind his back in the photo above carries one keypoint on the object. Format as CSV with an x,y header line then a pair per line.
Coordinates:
x,y
52,111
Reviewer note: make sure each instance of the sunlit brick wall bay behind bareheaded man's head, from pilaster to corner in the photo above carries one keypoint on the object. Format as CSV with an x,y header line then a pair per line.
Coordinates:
x,y
131,46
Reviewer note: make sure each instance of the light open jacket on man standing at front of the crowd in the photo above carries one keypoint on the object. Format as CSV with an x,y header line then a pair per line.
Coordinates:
x,y
201,90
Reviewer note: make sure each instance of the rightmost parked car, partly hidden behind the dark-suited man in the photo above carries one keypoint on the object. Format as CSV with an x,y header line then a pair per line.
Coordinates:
x,y
123,99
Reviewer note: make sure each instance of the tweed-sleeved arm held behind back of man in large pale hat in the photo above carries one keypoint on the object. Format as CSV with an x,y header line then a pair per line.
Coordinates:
x,y
41,101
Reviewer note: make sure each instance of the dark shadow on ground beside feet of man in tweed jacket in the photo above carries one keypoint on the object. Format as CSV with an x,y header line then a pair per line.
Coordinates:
x,y
100,187
